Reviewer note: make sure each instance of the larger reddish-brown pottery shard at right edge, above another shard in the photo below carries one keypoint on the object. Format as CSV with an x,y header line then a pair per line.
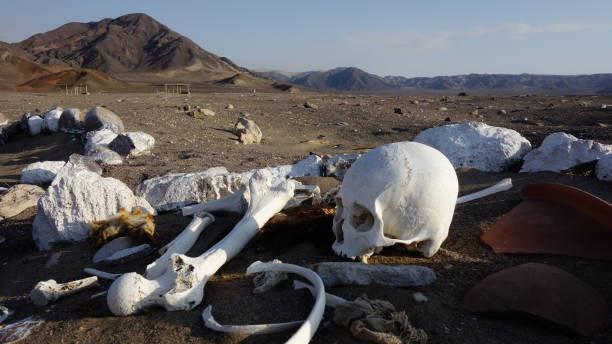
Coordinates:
x,y
555,219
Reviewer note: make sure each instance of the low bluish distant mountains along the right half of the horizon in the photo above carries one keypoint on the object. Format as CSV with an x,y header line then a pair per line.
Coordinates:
x,y
355,80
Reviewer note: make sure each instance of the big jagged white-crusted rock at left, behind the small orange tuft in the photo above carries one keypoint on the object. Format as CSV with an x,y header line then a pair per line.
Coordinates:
x,y
76,197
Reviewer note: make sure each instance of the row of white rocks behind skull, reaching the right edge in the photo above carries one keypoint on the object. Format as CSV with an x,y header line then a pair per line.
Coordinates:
x,y
493,149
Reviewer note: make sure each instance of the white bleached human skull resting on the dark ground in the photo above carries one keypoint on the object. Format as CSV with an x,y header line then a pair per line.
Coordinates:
x,y
401,192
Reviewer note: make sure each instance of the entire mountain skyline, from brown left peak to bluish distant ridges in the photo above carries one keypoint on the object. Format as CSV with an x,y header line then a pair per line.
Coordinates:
x,y
135,48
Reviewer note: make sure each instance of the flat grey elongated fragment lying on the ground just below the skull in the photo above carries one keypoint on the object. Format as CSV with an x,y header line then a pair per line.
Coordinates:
x,y
353,273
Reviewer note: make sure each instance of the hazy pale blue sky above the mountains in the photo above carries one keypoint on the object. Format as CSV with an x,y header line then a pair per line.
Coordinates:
x,y
410,38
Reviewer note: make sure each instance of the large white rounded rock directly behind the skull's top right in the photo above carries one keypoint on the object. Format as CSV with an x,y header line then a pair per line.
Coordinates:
x,y
476,145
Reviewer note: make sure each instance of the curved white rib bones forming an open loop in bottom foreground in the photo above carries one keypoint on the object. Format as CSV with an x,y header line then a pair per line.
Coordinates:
x,y
307,328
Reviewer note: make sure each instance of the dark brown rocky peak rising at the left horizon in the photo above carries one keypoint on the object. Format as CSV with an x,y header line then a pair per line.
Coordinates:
x,y
130,44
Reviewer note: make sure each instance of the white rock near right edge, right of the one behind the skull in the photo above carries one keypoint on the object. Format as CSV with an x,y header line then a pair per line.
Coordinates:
x,y
560,151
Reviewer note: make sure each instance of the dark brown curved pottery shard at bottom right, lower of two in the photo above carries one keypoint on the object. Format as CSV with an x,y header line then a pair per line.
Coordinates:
x,y
540,290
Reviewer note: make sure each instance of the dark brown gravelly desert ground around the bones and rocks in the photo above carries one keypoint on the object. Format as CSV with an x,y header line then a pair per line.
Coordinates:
x,y
342,123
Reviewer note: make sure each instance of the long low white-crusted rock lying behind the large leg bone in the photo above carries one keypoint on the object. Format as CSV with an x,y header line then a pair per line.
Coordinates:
x,y
174,191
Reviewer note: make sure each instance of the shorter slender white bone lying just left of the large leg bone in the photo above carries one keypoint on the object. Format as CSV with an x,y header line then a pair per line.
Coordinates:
x,y
180,245
